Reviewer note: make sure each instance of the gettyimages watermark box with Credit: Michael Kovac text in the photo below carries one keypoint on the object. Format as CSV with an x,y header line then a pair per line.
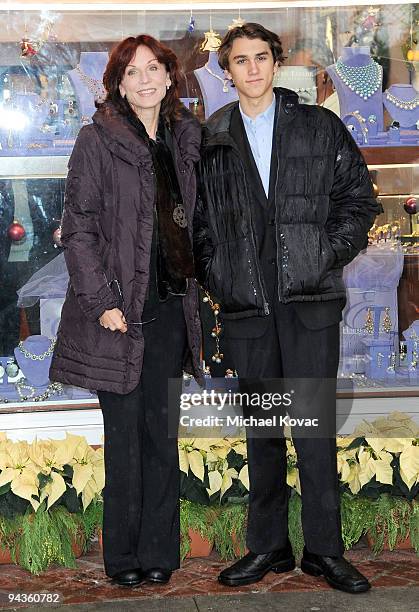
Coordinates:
x,y
262,407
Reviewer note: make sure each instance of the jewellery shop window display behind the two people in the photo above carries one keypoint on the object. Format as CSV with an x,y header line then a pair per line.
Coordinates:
x,y
361,62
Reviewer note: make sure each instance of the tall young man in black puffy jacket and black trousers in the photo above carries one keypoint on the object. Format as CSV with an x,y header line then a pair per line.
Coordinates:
x,y
285,202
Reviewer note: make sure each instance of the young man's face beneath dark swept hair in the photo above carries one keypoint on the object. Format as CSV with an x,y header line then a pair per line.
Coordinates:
x,y
251,67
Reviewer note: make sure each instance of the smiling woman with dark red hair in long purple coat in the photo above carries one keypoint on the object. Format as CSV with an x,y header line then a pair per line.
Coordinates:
x,y
130,320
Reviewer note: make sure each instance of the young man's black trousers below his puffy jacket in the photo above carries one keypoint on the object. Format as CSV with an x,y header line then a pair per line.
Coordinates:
x,y
289,349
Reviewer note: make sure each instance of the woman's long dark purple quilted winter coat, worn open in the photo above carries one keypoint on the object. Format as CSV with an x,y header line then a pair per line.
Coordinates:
x,y
107,232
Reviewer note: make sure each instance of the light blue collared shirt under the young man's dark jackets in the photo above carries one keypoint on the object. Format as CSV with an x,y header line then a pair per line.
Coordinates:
x,y
259,134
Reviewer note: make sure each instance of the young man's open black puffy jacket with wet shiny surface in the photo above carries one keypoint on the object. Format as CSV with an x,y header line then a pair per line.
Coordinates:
x,y
324,207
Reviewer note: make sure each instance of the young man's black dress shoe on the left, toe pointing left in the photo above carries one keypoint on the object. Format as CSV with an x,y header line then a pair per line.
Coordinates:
x,y
253,567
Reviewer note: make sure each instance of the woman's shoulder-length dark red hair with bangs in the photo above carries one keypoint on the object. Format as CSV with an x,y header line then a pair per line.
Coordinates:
x,y
121,56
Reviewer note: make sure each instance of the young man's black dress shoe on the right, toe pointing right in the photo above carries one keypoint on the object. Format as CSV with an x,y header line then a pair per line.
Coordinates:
x,y
339,573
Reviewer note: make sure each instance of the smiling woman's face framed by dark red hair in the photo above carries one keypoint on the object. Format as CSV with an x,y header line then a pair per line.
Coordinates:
x,y
145,81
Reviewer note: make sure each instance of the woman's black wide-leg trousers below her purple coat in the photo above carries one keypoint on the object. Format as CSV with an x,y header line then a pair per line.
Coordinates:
x,y
141,495
